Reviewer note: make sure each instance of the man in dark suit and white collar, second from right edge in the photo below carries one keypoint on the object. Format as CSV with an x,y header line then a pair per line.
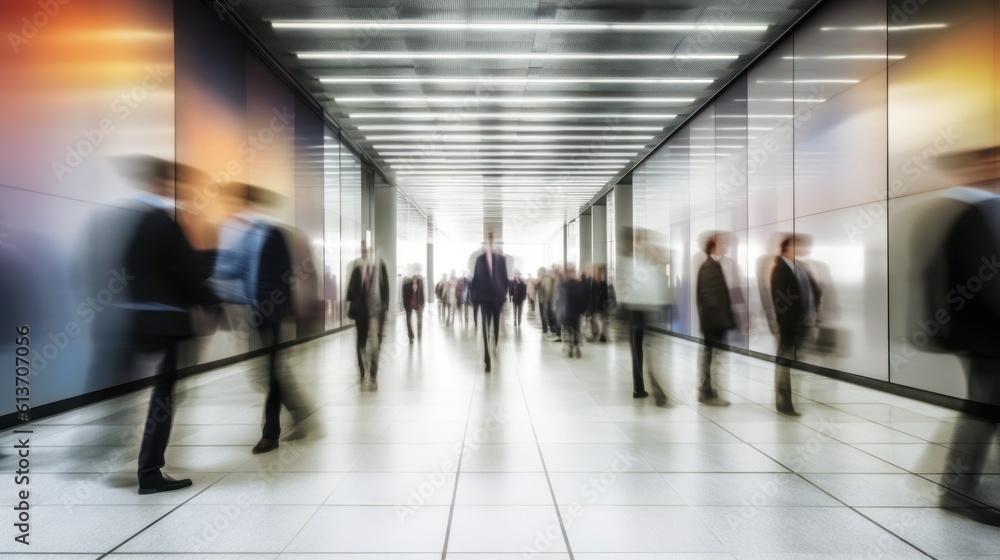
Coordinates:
x,y
796,297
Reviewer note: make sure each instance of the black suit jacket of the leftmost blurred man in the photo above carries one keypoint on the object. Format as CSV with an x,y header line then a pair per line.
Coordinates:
x,y
168,277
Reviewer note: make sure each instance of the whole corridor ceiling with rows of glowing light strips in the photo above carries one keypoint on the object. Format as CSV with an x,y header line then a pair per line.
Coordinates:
x,y
512,112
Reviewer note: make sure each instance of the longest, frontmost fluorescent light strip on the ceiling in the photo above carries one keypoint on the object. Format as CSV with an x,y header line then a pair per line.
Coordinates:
x,y
513,26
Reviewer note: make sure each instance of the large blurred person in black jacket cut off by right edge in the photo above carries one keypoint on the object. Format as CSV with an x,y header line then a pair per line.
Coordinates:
x,y
968,265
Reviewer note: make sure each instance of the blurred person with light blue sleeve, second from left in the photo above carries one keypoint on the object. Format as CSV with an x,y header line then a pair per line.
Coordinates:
x,y
252,270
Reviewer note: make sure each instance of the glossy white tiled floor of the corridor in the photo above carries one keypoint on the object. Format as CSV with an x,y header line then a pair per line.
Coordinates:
x,y
546,457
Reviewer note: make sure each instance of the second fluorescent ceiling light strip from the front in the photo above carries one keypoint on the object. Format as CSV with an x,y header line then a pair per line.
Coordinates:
x,y
340,55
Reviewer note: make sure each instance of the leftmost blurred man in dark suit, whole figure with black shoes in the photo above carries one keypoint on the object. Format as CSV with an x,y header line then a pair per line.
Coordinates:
x,y
168,277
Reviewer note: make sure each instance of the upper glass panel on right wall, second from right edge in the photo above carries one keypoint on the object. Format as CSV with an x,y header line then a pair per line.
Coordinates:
x,y
840,108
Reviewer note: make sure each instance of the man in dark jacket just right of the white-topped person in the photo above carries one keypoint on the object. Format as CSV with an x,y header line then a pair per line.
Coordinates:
x,y
715,312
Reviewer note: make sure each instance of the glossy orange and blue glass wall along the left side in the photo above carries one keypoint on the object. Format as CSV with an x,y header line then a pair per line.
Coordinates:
x,y
169,80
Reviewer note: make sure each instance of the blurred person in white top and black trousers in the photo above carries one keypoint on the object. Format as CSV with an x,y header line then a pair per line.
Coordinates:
x,y
645,297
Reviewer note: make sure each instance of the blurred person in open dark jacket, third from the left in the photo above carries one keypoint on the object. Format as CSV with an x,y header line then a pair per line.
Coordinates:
x,y
368,301
